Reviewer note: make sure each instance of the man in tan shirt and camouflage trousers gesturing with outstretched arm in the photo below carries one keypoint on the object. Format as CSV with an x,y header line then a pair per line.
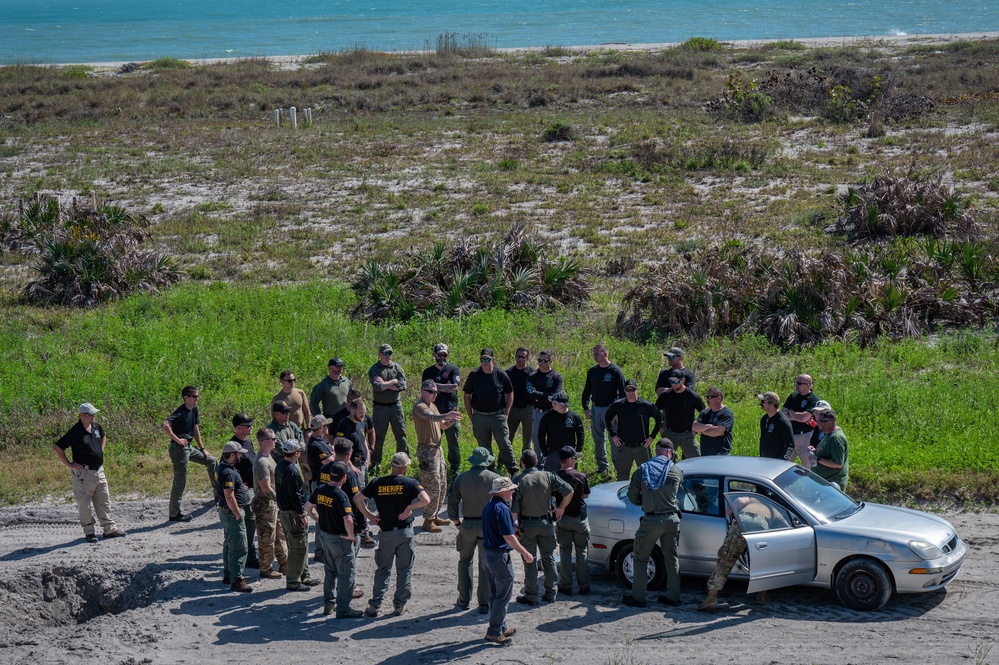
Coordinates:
x,y
433,476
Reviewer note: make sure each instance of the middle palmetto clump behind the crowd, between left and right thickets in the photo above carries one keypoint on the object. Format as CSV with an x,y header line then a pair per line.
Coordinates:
x,y
458,277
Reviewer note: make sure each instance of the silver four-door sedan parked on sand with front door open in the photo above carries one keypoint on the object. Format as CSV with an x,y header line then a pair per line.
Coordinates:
x,y
799,529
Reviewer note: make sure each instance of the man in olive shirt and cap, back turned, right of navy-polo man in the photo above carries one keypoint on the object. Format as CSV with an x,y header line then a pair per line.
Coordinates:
x,y
532,507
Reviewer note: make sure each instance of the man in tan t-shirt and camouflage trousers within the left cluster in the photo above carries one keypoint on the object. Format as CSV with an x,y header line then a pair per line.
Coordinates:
x,y
270,535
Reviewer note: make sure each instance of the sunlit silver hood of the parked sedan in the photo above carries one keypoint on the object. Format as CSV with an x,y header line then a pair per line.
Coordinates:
x,y
890,523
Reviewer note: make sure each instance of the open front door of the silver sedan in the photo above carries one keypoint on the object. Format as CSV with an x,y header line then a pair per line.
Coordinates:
x,y
780,546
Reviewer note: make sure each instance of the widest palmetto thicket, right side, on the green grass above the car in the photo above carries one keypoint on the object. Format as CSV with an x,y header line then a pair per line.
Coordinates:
x,y
898,289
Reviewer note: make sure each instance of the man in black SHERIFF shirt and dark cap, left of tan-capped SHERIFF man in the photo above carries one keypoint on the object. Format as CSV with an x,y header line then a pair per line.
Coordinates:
x,y
331,509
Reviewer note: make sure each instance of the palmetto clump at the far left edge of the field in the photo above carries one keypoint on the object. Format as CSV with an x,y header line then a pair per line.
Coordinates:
x,y
88,252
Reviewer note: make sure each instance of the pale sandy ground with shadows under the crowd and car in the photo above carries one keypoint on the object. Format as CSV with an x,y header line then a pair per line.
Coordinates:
x,y
156,597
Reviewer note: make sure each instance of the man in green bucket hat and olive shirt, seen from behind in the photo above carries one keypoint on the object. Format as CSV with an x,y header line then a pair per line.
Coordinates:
x,y
471,491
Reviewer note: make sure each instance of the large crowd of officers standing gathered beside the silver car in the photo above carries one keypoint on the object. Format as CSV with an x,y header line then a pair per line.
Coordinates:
x,y
266,494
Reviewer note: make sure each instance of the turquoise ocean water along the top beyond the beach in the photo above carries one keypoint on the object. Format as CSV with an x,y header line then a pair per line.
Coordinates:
x,y
48,31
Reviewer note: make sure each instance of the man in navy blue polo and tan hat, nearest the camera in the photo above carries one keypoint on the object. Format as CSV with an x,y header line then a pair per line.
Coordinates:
x,y
498,538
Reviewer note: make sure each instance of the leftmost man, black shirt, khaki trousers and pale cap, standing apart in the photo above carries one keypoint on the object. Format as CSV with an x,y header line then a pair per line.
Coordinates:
x,y
87,440
